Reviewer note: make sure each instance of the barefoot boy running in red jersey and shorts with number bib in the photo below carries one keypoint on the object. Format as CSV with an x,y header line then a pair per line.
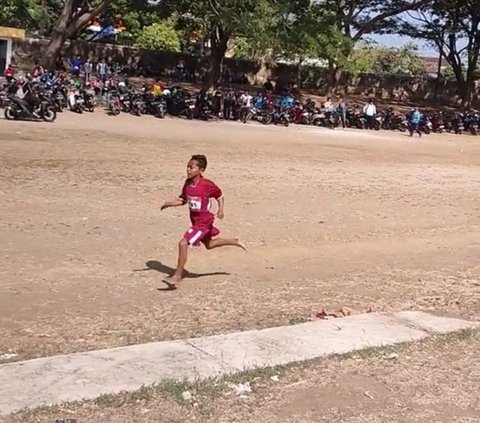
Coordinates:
x,y
198,193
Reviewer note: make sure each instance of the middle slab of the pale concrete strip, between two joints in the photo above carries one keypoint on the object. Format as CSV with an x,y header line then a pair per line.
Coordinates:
x,y
287,344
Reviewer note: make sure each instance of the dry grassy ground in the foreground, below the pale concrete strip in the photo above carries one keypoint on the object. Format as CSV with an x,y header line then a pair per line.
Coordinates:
x,y
432,381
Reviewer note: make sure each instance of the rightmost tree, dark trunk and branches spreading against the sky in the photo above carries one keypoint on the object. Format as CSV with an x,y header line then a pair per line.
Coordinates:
x,y
453,27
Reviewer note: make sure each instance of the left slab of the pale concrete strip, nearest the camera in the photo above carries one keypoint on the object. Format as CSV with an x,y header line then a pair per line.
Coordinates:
x,y
73,377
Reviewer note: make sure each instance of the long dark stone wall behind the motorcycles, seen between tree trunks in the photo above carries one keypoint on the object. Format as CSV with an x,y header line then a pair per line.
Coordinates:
x,y
388,87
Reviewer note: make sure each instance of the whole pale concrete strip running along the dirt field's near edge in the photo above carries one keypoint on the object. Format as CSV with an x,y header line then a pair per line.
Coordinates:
x,y
51,380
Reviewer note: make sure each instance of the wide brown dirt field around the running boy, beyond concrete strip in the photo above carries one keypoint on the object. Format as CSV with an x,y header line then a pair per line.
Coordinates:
x,y
331,218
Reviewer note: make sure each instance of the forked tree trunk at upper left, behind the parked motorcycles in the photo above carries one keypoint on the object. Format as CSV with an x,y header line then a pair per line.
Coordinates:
x,y
74,16
